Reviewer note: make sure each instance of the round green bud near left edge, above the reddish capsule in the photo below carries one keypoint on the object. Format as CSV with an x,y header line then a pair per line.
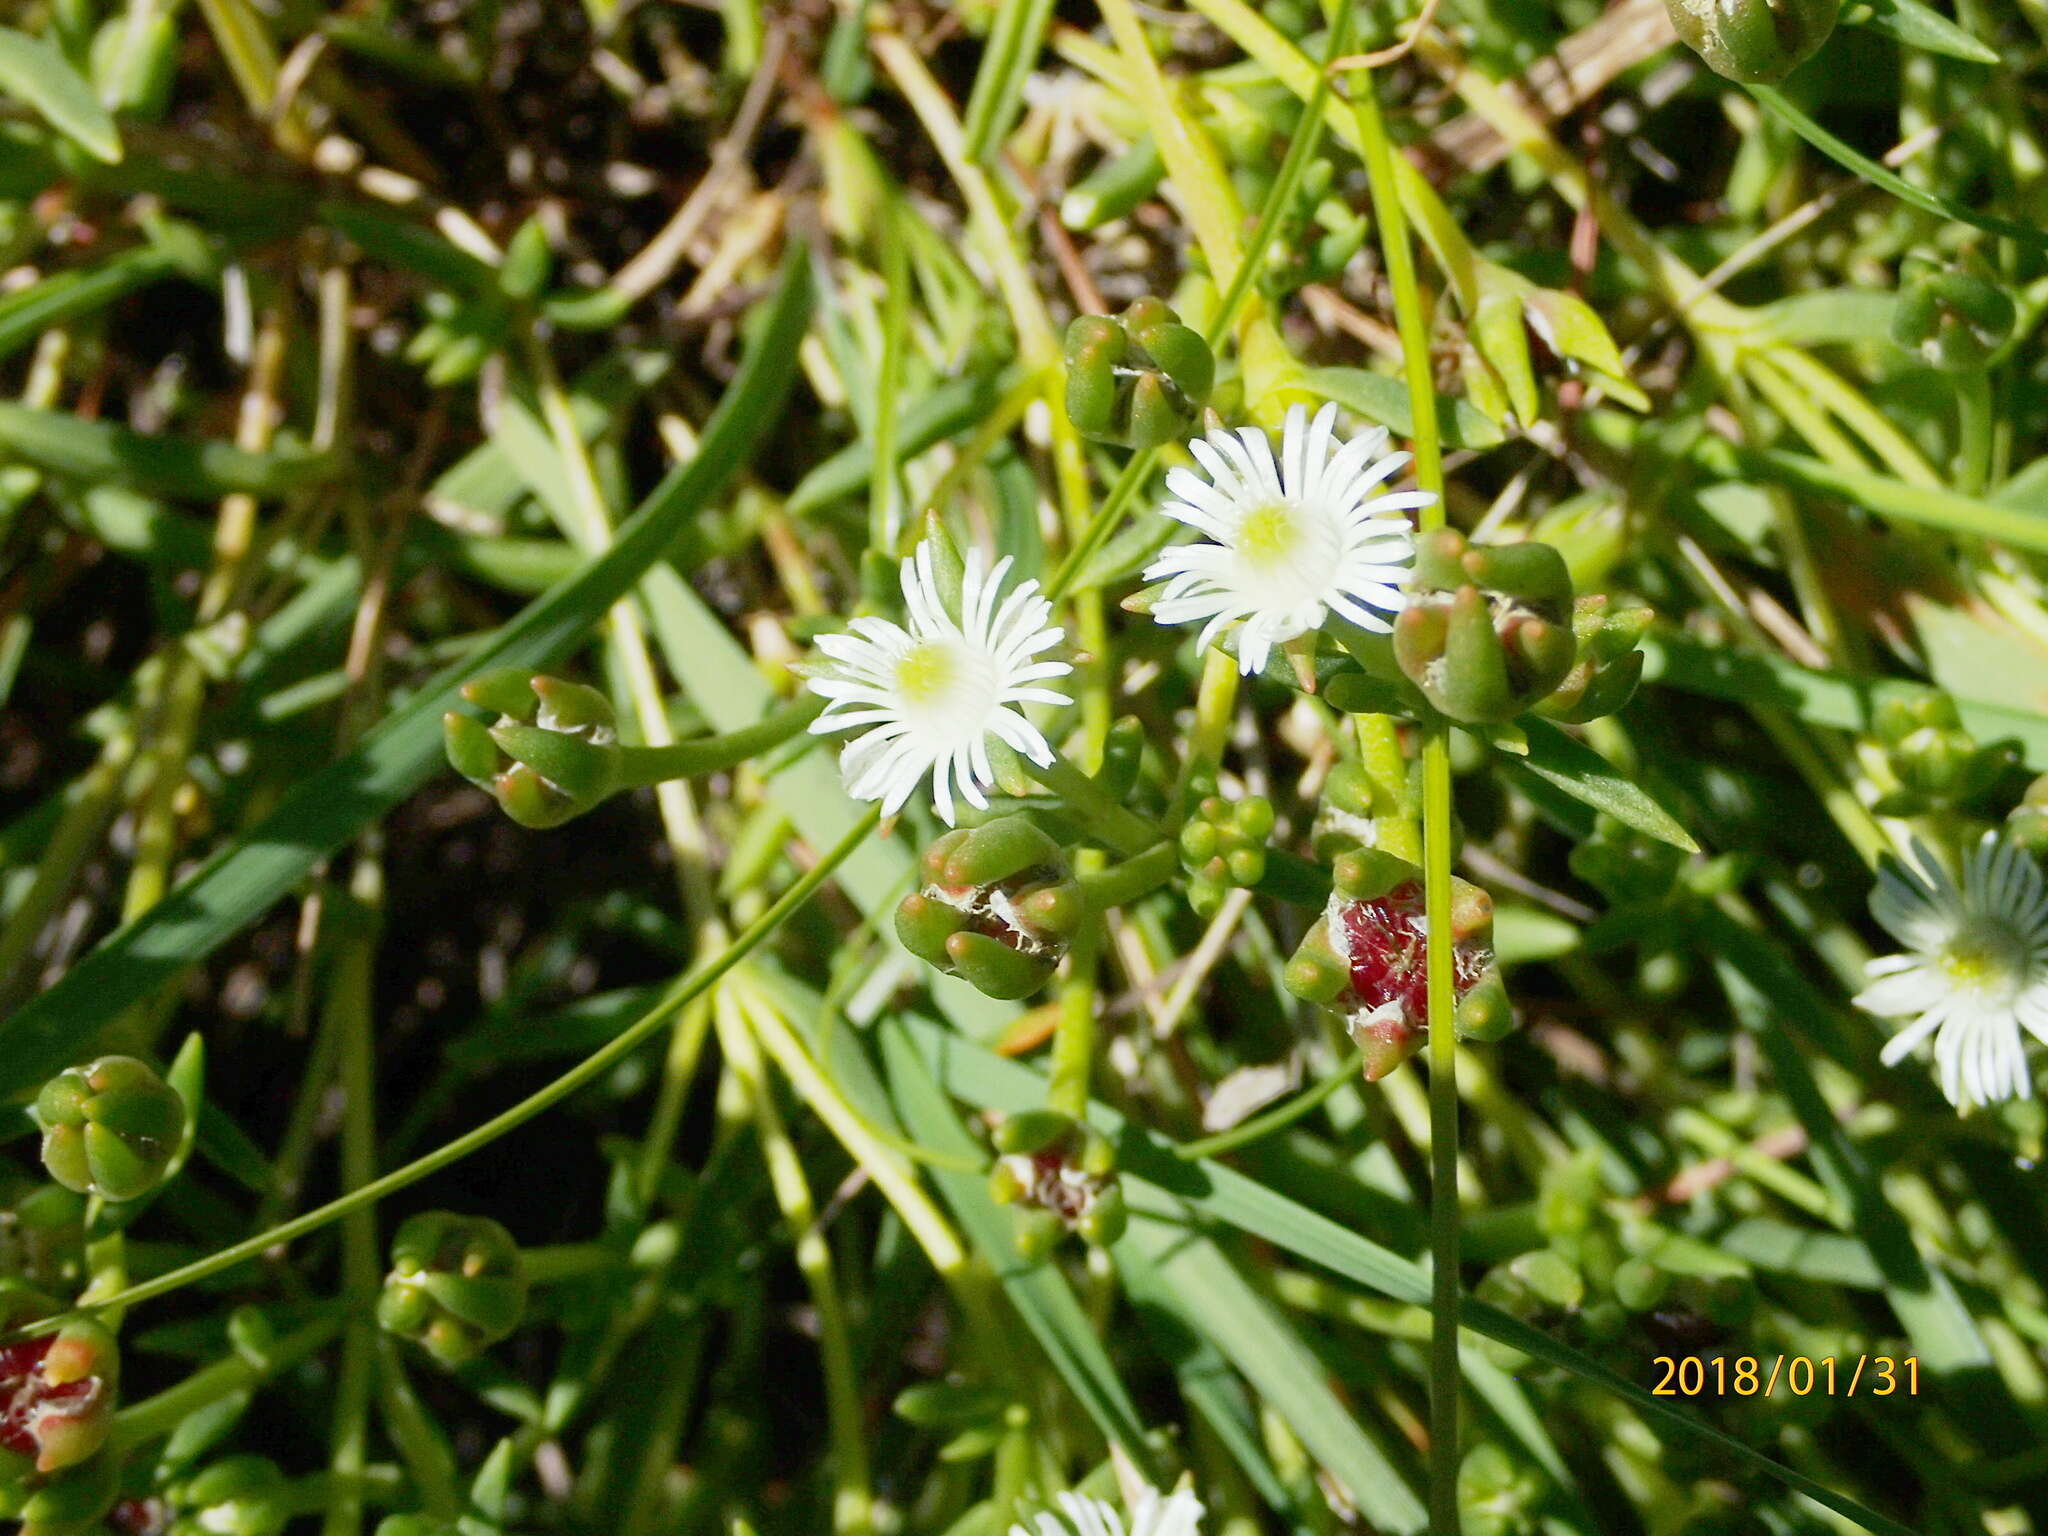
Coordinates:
x,y
110,1127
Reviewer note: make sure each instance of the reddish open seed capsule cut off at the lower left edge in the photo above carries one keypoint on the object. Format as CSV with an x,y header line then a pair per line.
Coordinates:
x,y
56,1390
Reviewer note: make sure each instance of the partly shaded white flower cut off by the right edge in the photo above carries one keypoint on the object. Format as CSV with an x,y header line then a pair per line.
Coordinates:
x,y
1975,970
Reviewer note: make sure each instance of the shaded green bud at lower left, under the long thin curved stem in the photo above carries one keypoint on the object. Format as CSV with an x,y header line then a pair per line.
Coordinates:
x,y
456,1287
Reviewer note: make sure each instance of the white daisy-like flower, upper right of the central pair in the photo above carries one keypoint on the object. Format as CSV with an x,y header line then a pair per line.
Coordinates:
x,y
1293,540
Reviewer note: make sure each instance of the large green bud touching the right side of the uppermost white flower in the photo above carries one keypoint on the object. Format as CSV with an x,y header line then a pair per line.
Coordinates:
x,y
1488,630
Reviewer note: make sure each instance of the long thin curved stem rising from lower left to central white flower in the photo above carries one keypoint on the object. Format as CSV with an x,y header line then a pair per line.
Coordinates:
x,y
589,1070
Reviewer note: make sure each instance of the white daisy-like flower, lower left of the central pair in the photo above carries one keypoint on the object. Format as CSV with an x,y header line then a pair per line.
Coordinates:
x,y
937,691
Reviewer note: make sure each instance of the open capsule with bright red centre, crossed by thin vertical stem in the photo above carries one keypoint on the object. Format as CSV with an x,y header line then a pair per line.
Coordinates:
x,y
1367,959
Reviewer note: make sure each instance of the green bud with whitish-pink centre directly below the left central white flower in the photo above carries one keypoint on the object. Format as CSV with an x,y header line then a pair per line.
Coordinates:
x,y
996,908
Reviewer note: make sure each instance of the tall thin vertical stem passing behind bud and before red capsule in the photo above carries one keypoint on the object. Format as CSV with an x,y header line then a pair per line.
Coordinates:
x,y
1412,325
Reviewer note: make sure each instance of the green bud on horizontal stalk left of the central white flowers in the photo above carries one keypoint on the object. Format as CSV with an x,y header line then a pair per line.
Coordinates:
x,y
552,755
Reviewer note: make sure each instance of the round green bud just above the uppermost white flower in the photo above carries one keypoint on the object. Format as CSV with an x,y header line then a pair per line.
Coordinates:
x,y
1138,380
